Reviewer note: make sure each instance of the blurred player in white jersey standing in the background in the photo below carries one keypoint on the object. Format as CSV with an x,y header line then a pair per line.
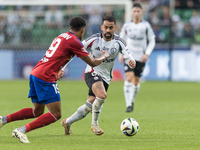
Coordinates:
x,y
140,40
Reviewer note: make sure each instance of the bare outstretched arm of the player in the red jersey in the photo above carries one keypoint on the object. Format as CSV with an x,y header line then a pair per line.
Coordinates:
x,y
95,61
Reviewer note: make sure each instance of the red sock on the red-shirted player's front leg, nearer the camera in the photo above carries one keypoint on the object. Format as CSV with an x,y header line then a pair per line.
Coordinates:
x,y
41,121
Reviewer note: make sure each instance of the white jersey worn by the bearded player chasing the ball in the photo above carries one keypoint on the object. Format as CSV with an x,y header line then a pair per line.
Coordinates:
x,y
96,43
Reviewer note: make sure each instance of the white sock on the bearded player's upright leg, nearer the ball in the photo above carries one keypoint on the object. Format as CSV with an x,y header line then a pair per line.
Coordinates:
x,y
96,110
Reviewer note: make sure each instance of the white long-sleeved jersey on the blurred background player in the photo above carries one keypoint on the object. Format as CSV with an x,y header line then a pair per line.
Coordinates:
x,y
137,37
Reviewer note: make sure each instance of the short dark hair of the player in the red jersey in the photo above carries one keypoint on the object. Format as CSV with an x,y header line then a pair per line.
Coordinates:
x,y
77,23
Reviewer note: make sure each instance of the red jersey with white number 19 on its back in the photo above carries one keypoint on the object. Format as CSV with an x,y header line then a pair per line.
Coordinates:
x,y
61,51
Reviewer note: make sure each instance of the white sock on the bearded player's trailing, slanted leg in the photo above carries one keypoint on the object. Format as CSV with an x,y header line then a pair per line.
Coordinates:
x,y
81,112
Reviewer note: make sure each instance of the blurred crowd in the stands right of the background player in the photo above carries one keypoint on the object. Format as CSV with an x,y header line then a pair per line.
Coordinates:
x,y
182,22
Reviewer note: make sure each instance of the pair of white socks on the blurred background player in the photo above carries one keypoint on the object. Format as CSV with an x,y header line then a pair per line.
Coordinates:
x,y
130,92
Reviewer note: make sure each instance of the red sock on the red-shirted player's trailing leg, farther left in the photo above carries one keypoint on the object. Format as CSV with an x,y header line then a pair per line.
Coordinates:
x,y
25,113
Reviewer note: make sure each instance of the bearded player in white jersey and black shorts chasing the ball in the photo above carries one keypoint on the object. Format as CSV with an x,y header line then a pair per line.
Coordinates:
x,y
98,78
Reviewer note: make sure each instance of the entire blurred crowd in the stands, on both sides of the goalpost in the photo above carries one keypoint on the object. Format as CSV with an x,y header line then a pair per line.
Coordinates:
x,y
38,24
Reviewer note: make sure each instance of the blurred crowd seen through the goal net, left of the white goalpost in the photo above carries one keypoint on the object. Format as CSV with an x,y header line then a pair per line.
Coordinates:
x,y
38,24
